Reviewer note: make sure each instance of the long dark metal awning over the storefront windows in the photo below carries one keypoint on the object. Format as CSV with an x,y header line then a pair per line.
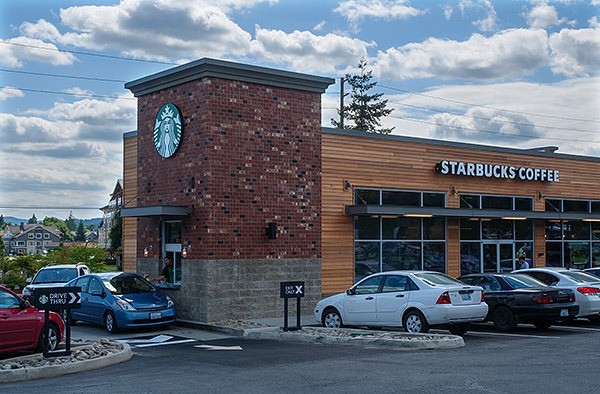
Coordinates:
x,y
408,211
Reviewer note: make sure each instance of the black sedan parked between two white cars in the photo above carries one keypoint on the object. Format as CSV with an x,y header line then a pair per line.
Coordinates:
x,y
520,298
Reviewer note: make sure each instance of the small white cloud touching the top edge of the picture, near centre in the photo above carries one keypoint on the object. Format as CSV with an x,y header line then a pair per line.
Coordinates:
x,y
356,11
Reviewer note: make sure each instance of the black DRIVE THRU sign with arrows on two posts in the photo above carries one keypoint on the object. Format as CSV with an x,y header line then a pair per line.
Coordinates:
x,y
57,299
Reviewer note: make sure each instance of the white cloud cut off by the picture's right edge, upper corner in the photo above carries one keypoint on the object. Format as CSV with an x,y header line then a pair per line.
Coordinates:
x,y
575,52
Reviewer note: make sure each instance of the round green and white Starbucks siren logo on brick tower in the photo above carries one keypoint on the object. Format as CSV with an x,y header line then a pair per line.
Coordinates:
x,y
167,130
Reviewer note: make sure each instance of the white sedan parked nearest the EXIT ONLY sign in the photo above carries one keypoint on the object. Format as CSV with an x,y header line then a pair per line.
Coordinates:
x,y
414,300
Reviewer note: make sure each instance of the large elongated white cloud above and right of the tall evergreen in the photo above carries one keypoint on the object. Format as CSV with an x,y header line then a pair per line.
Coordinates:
x,y
510,53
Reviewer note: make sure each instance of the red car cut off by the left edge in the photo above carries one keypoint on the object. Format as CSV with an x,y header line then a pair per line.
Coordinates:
x,y
21,325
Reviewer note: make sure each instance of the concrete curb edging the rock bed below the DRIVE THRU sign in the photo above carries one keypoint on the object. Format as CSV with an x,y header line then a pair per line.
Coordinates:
x,y
17,375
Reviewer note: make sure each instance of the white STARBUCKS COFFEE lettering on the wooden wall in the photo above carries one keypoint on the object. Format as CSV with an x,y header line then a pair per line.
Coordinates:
x,y
498,171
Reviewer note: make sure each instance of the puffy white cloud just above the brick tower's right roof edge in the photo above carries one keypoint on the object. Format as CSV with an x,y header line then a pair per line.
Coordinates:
x,y
303,50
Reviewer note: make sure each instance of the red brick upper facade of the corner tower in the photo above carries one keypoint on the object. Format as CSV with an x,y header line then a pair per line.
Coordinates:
x,y
250,154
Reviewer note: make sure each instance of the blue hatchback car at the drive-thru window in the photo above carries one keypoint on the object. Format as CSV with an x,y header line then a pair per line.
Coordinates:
x,y
120,300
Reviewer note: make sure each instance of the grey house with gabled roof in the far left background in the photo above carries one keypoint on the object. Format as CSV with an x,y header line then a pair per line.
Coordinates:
x,y
30,239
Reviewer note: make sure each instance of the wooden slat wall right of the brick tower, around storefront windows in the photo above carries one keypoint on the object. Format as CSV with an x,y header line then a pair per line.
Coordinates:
x,y
373,162
